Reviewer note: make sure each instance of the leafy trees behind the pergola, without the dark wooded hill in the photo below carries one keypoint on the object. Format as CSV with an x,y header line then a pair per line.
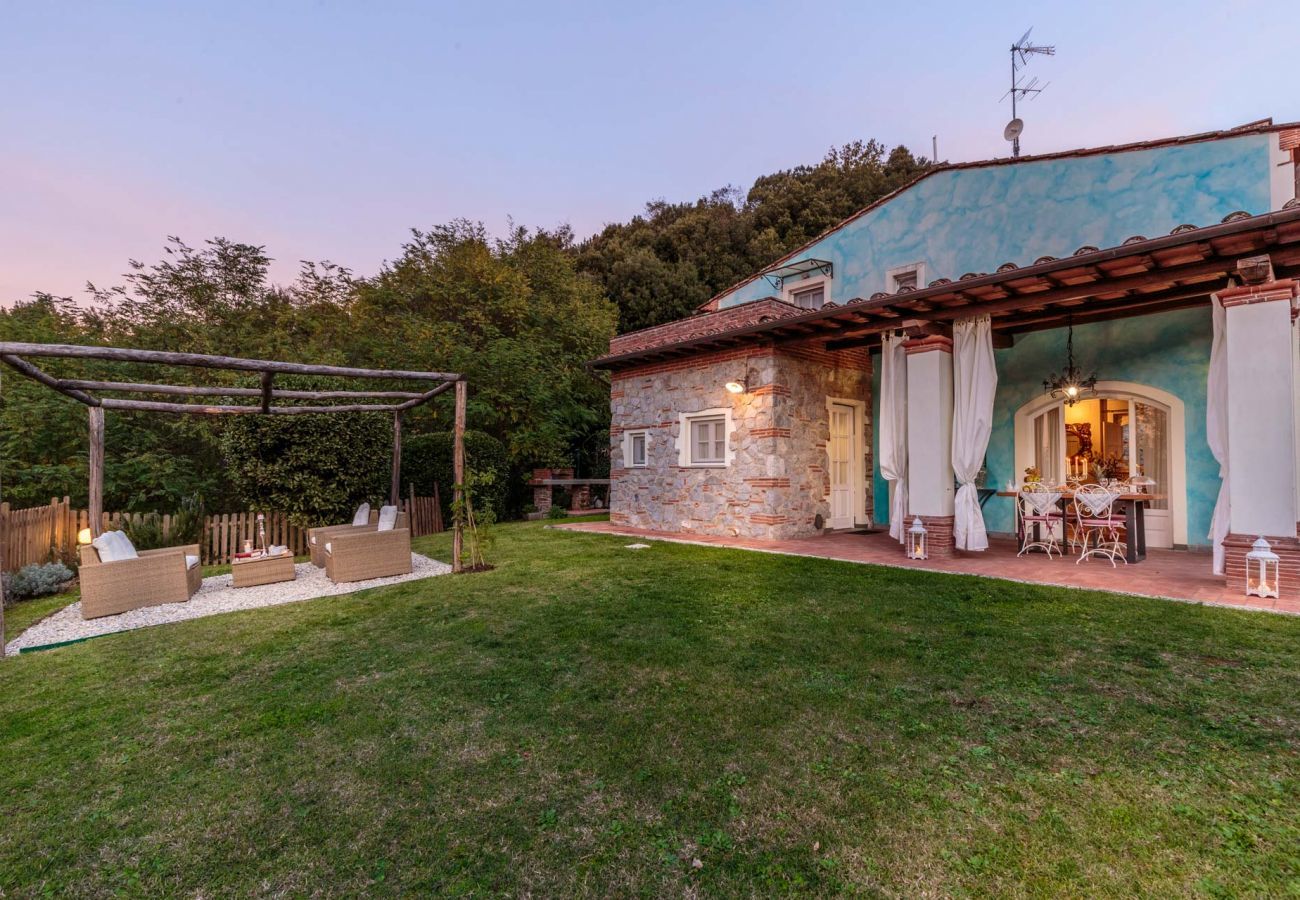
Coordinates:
x,y
513,315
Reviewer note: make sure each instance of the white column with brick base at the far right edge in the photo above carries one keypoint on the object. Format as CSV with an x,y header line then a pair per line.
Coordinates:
x,y
1262,429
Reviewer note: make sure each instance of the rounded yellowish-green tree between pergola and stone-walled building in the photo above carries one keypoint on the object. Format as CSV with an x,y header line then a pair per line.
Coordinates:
x,y
512,315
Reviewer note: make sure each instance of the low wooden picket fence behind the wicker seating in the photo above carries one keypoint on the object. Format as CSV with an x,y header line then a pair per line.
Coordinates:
x,y
45,534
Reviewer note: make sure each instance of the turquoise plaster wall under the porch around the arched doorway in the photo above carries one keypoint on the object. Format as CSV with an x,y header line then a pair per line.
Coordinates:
x,y
1169,352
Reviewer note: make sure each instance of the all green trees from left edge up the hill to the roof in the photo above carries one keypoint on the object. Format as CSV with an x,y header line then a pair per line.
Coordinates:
x,y
522,317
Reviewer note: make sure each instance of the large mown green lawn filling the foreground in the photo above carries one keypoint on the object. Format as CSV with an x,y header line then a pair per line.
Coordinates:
x,y
593,721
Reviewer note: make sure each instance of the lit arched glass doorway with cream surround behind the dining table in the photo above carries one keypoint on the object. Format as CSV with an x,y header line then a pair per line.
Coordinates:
x,y
1137,429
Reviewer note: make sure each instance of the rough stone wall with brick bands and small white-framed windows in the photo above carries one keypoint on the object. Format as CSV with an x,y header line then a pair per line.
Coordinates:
x,y
777,484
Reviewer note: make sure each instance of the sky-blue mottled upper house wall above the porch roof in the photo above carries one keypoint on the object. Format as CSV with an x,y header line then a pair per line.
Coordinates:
x,y
974,220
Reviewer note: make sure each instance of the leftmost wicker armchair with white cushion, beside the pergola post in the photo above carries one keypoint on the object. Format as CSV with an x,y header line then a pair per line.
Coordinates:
x,y
154,578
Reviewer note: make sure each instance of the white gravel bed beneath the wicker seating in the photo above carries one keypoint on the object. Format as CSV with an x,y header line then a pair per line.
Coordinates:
x,y
216,596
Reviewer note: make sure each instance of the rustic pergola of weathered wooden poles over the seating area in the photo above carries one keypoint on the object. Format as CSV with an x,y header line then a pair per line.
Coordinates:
x,y
397,403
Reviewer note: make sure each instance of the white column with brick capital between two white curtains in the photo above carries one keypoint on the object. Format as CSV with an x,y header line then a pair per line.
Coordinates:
x,y
930,439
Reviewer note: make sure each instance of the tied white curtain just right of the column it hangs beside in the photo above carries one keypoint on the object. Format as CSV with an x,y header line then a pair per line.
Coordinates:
x,y
974,386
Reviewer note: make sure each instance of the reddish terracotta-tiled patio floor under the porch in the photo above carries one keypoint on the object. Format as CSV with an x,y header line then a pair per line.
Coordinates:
x,y
1167,574
